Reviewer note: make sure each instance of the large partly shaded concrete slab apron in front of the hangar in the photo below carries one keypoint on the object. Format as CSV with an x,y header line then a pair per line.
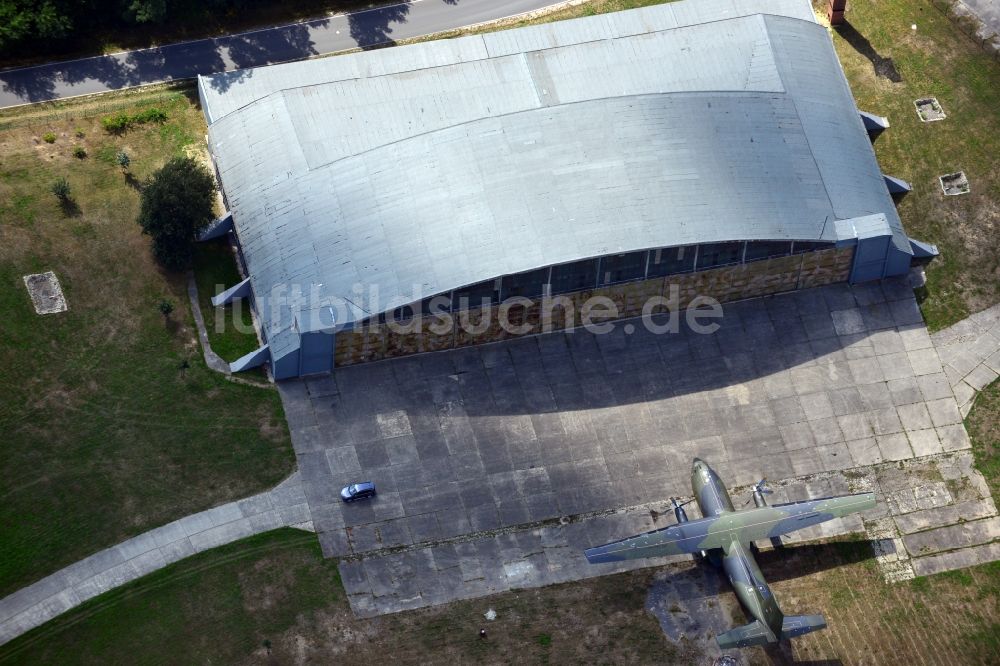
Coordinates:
x,y
585,436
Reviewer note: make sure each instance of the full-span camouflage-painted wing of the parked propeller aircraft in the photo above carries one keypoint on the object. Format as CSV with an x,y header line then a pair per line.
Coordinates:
x,y
719,531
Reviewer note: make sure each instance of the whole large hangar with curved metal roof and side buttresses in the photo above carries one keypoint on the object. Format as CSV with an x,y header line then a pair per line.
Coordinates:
x,y
397,201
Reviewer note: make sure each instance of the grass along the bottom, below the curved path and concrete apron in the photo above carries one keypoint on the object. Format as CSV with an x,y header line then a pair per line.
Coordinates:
x,y
221,607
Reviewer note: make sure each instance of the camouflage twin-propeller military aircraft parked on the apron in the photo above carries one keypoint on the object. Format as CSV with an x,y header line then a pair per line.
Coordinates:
x,y
728,535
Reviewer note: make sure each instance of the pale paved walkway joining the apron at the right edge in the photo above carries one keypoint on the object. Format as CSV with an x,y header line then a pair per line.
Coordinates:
x,y
970,352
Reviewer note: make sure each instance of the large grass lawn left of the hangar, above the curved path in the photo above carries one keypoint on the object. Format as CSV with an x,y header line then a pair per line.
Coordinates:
x,y
112,425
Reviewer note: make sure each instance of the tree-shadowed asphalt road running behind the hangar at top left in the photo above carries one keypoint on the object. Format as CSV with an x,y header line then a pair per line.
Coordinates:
x,y
251,49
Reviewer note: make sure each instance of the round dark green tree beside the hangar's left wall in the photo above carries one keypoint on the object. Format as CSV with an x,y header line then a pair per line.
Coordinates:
x,y
176,206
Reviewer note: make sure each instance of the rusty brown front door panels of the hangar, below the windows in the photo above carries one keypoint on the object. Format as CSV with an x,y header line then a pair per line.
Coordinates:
x,y
375,342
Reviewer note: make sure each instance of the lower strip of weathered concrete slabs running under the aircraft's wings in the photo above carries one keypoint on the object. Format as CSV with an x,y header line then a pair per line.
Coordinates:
x,y
538,555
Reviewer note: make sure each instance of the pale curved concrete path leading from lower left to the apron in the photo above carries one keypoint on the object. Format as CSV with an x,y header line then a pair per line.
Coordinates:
x,y
283,506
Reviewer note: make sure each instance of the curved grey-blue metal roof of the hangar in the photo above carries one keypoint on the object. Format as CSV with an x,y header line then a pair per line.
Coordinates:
x,y
452,162
